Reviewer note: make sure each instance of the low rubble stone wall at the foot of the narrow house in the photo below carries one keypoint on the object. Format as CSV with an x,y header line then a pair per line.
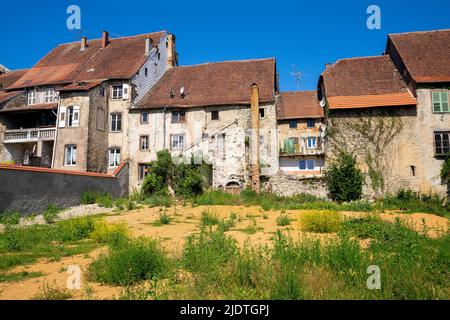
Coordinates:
x,y
289,185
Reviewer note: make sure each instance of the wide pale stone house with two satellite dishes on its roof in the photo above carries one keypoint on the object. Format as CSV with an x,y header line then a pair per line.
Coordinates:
x,y
203,112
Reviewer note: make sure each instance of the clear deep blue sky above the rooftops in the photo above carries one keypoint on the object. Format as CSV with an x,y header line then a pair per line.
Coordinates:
x,y
306,34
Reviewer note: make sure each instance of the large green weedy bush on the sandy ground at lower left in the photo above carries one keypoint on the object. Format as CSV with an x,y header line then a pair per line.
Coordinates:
x,y
141,259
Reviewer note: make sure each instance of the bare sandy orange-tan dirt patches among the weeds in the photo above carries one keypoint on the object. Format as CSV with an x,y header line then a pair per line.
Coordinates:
x,y
185,221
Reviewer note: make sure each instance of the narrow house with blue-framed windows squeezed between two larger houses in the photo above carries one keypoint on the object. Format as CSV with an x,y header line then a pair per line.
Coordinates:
x,y
301,131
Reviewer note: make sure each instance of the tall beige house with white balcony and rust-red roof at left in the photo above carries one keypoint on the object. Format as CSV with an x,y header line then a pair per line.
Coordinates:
x,y
79,95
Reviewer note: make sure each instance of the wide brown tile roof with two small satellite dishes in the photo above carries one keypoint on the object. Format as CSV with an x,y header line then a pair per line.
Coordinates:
x,y
220,83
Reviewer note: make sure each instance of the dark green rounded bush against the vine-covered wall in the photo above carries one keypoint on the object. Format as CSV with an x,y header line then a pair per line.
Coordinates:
x,y
344,179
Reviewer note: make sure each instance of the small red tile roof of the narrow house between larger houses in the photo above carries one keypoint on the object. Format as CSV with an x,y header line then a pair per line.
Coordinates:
x,y
298,105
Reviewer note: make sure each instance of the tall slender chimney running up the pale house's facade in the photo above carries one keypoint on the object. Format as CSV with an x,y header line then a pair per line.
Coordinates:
x,y
254,160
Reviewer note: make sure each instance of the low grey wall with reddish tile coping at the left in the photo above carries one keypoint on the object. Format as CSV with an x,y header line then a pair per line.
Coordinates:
x,y
30,189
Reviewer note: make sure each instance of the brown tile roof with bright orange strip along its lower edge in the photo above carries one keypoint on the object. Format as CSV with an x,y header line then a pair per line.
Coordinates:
x,y
365,82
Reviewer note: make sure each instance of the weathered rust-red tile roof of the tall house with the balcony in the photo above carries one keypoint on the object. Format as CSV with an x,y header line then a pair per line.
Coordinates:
x,y
120,59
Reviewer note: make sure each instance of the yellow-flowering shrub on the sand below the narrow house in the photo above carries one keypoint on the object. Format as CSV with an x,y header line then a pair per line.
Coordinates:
x,y
320,221
